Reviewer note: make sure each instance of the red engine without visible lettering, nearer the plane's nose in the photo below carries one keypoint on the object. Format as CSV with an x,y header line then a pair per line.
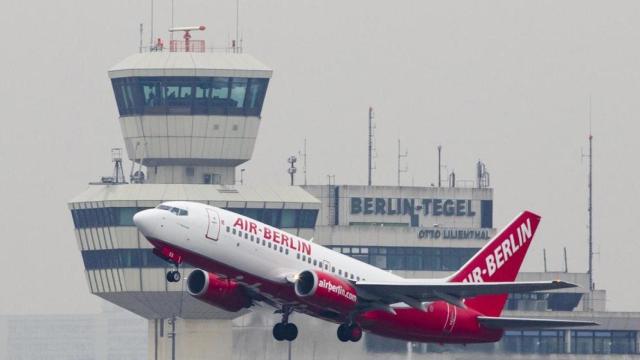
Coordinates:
x,y
214,290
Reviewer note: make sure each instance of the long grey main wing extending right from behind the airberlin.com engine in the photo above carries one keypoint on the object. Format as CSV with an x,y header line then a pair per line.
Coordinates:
x,y
415,293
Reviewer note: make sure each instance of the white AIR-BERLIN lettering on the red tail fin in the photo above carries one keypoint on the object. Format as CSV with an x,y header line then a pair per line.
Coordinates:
x,y
502,252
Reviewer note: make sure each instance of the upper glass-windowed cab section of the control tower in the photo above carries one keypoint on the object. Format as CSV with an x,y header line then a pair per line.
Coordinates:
x,y
190,117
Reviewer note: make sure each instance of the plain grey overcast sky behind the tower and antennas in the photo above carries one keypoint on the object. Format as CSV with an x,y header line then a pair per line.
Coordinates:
x,y
507,82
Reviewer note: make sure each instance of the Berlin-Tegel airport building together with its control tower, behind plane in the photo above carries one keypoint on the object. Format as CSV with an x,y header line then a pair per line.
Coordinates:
x,y
188,119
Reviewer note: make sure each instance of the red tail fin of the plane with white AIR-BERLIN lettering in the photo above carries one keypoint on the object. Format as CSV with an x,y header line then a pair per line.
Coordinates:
x,y
499,261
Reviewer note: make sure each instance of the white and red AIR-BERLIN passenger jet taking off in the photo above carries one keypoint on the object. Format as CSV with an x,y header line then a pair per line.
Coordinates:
x,y
240,262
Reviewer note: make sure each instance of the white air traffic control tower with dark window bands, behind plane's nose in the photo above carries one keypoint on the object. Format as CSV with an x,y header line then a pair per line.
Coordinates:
x,y
188,117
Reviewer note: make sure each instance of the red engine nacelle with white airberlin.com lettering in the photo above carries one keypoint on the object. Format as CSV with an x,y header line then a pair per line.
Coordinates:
x,y
326,291
